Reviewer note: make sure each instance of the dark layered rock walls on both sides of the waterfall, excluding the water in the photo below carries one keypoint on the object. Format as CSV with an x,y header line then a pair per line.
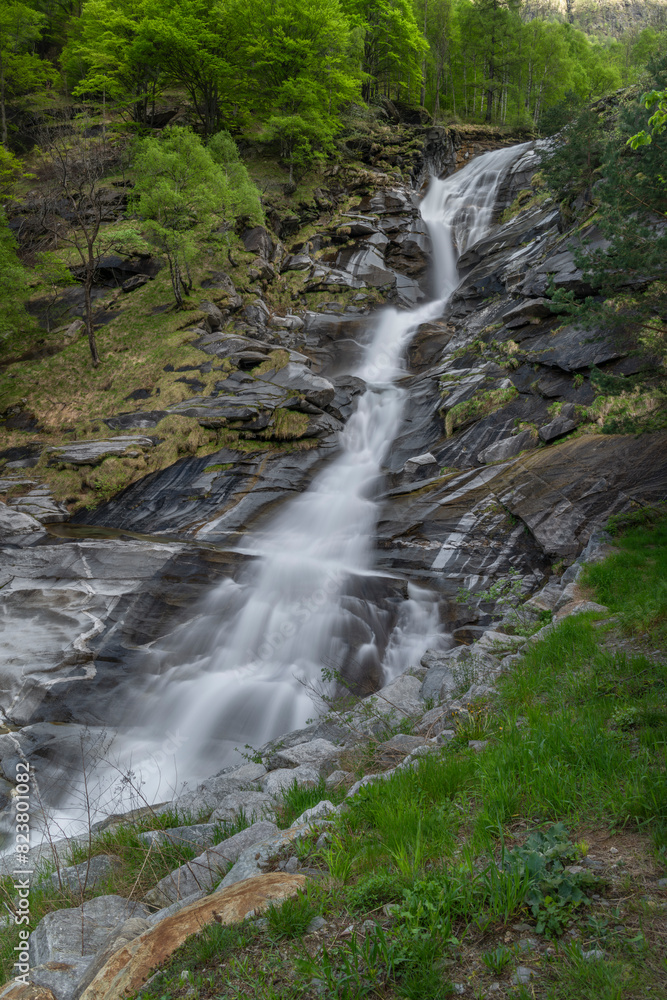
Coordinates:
x,y
498,462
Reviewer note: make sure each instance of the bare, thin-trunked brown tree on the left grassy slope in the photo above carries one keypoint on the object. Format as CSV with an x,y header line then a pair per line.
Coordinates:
x,y
80,162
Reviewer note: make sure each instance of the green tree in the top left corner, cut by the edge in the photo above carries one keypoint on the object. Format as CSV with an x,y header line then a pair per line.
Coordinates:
x,y
20,69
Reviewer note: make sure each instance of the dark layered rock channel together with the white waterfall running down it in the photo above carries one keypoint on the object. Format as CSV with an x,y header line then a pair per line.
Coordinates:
x,y
449,440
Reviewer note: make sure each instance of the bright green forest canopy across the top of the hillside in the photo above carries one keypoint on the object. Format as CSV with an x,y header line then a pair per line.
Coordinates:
x,y
288,69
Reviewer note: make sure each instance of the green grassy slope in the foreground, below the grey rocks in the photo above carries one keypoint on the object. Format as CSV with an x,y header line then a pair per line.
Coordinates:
x,y
542,849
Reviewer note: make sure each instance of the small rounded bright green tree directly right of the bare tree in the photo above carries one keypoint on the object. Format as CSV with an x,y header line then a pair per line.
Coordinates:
x,y
178,186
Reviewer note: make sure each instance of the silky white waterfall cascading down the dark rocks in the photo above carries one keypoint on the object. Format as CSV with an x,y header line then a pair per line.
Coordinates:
x,y
243,672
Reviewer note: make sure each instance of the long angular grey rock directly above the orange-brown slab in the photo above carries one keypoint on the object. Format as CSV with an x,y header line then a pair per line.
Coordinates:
x,y
200,874
